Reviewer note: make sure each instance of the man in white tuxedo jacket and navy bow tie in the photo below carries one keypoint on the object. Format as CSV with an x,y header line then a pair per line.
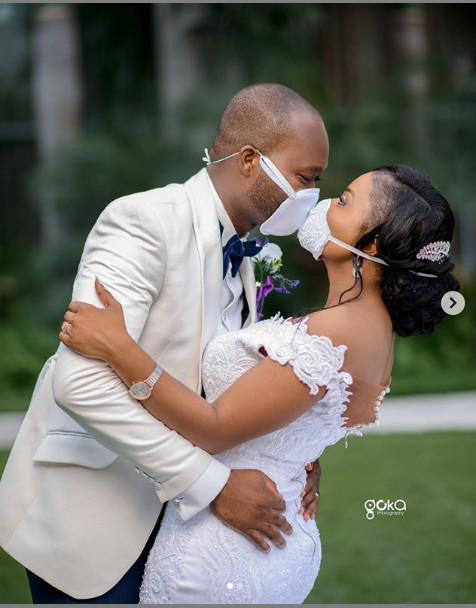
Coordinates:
x,y
73,508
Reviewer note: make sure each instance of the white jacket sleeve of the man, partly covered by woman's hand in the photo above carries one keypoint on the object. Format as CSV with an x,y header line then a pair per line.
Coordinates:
x,y
127,250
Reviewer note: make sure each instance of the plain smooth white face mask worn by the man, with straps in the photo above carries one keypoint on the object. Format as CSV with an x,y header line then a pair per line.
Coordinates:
x,y
293,211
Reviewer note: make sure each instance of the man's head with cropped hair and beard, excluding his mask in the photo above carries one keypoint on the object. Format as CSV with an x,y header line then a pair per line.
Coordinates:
x,y
274,121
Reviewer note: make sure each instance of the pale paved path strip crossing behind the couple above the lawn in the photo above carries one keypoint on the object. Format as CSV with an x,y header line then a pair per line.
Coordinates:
x,y
414,414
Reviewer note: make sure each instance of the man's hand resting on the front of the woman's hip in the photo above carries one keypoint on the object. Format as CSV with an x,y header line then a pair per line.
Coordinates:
x,y
251,504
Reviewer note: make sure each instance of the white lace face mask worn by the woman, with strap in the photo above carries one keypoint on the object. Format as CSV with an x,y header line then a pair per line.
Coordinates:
x,y
315,233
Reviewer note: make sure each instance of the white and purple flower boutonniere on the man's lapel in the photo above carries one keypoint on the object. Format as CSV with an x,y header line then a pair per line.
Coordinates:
x,y
266,265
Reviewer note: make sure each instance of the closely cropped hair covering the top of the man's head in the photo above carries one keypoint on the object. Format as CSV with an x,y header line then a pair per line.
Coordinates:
x,y
261,115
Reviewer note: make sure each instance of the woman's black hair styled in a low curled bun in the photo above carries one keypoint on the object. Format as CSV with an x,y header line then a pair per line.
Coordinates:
x,y
408,213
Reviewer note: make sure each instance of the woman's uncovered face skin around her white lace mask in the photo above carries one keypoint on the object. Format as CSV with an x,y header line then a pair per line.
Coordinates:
x,y
347,215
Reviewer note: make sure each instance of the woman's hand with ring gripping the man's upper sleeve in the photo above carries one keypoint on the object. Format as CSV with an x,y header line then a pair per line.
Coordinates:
x,y
94,332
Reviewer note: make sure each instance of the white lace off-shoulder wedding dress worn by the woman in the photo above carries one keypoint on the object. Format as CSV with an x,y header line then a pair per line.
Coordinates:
x,y
204,561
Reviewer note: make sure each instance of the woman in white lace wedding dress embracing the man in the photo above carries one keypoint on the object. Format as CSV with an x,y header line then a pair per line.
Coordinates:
x,y
281,390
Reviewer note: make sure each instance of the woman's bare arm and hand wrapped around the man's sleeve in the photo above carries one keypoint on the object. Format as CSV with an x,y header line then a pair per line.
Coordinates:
x,y
267,397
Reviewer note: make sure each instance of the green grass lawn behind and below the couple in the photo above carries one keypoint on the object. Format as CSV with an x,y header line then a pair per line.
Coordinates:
x,y
427,555
